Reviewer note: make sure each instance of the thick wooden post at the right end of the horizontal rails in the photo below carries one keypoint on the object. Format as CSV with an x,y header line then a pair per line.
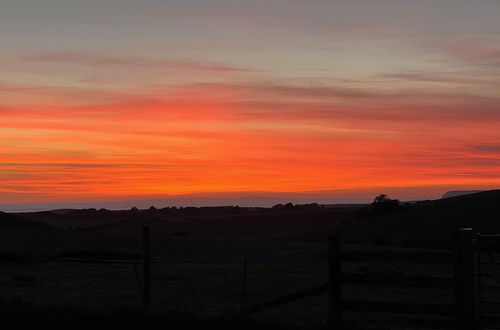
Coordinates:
x,y
467,288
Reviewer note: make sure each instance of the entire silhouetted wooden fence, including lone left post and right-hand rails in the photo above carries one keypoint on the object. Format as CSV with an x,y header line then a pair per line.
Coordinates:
x,y
469,256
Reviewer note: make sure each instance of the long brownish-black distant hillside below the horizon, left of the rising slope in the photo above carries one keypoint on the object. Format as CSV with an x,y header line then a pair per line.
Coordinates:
x,y
289,221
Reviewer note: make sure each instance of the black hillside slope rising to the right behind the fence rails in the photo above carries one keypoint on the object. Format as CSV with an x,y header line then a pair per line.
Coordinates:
x,y
428,223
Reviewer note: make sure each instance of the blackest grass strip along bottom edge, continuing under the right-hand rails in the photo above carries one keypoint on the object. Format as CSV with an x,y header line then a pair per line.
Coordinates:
x,y
19,314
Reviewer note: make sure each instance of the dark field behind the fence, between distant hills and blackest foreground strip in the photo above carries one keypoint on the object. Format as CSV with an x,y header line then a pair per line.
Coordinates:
x,y
213,288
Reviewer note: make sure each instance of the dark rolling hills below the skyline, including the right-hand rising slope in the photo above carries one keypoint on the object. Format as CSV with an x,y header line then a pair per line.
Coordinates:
x,y
424,224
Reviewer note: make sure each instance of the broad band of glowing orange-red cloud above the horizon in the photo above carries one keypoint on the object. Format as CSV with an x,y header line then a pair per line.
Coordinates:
x,y
245,137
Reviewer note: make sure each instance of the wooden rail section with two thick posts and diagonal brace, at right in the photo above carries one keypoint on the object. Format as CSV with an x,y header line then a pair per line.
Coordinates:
x,y
463,283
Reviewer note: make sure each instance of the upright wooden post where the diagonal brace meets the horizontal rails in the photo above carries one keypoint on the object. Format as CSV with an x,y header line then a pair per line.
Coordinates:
x,y
334,284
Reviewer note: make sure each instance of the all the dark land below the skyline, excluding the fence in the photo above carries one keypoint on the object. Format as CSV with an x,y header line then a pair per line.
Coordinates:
x,y
81,268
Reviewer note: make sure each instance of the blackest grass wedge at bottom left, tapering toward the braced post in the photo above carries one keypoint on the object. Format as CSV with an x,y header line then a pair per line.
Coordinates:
x,y
18,314
